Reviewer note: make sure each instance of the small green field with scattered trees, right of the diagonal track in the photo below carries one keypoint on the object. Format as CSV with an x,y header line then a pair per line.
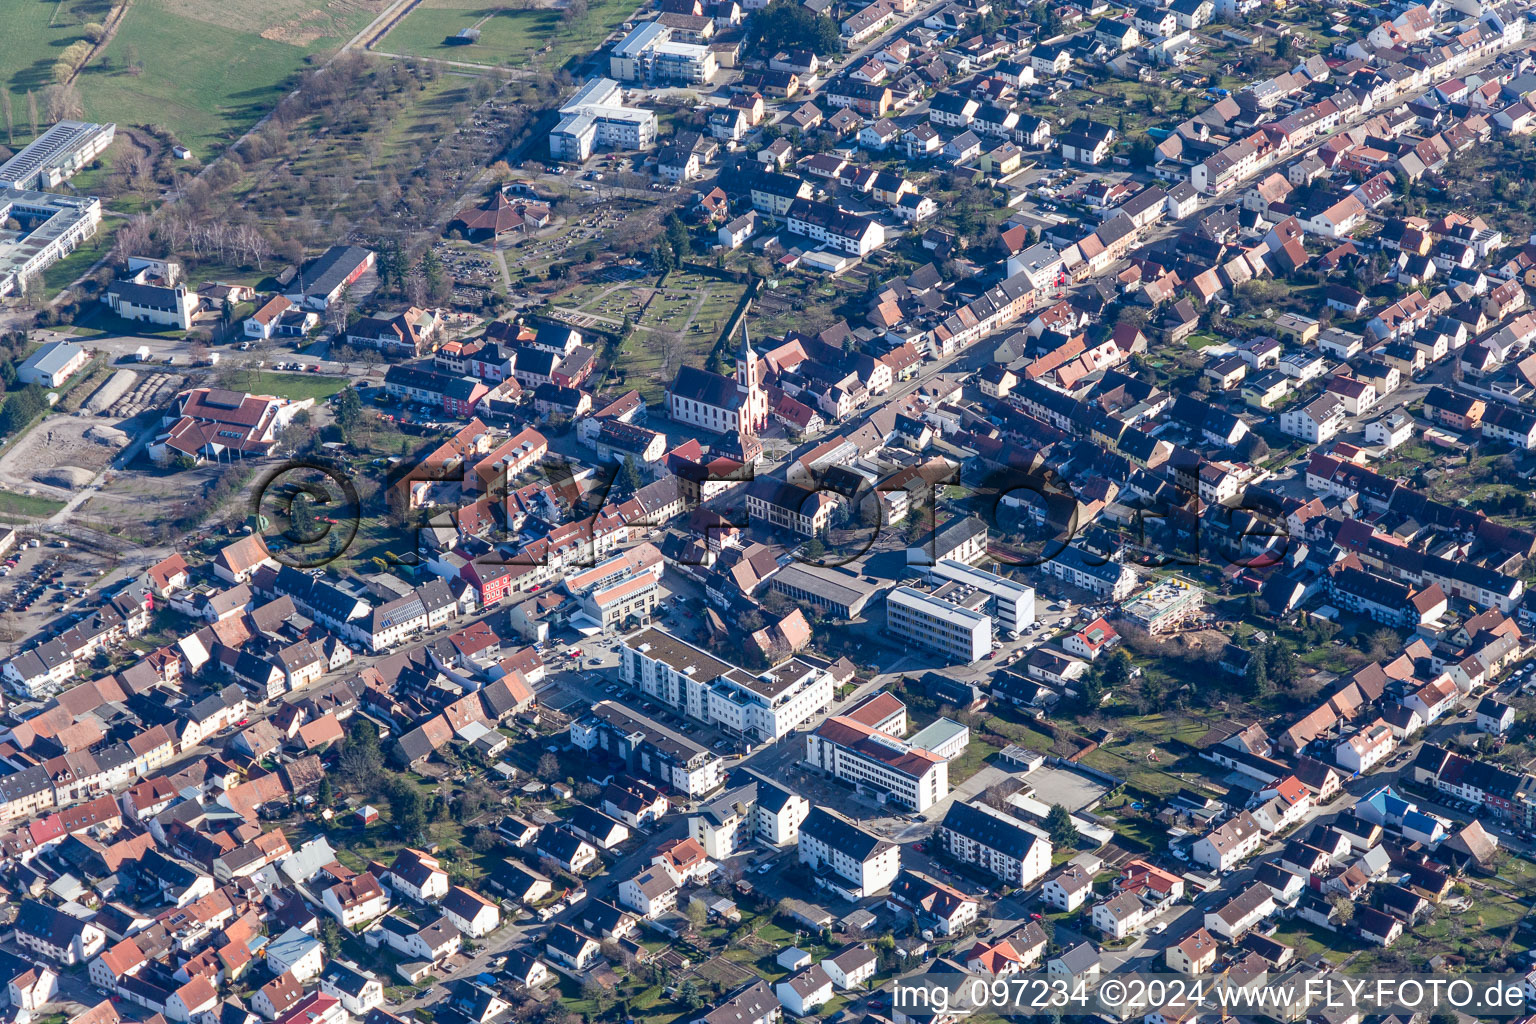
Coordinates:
x,y
518,38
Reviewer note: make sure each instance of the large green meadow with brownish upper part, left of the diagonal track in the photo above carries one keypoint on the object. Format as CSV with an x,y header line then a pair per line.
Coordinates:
x,y
210,68
